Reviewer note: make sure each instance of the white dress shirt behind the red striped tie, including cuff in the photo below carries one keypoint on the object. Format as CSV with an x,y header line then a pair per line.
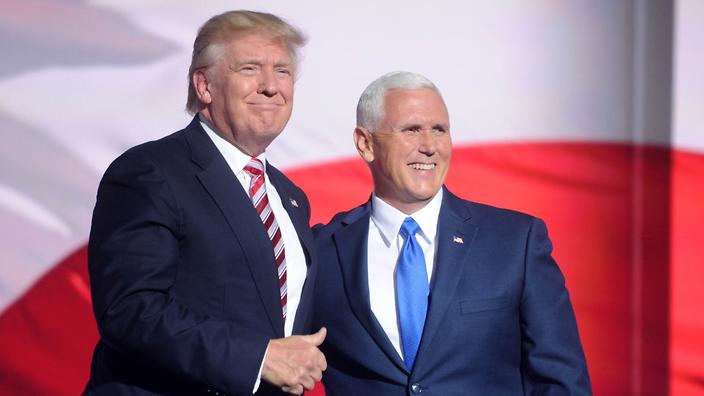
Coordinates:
x,y
296,267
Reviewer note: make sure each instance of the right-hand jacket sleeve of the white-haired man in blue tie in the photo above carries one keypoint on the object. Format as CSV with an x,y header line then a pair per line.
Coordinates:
x,y
553,360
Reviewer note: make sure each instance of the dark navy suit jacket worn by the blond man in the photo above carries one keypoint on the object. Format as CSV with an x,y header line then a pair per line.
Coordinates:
x,y
182,272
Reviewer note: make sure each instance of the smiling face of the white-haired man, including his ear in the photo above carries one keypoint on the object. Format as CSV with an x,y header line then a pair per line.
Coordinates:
x,y
410,151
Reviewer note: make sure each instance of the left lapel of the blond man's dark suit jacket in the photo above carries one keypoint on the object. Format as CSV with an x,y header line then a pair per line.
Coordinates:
x,y
222,185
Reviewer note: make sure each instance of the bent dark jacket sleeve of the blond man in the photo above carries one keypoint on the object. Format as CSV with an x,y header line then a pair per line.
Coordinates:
x,y
133,254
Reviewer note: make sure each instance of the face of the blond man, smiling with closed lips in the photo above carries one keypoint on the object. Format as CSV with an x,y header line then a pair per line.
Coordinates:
x,y
248,92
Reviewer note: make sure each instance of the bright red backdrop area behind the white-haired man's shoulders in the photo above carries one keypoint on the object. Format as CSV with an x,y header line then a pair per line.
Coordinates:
x,y
623,220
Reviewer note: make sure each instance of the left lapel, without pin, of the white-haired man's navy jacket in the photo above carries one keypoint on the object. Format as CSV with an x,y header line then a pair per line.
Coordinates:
x,y
351,243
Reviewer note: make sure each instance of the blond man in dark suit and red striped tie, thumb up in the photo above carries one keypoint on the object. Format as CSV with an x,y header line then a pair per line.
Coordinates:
x,y
199,248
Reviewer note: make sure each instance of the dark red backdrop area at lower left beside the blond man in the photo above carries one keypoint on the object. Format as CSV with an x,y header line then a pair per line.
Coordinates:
x,y
47,337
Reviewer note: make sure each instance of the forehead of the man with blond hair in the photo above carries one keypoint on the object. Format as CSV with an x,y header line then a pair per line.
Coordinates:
x,y
257,46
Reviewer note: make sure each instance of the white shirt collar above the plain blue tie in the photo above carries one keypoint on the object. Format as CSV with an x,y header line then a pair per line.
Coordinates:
x,y
389,219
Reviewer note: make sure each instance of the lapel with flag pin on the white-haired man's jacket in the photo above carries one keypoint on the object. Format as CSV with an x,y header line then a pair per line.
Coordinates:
x,y
454,240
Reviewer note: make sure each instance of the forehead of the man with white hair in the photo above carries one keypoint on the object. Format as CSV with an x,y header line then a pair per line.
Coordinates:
x,y
414,105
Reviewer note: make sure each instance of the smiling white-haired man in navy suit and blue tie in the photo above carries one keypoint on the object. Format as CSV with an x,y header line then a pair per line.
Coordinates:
x,y
423,292
